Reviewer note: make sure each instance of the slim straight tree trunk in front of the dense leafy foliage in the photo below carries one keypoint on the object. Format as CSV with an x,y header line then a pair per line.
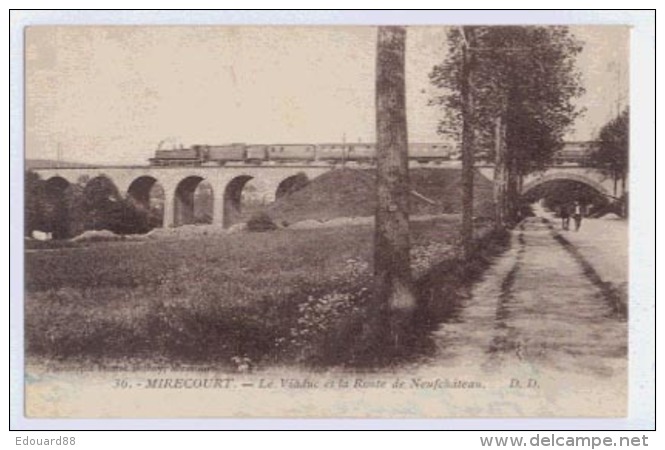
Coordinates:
x,y
467,143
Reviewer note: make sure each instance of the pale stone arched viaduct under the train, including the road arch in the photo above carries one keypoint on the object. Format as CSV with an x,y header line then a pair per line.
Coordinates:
x,y
179,183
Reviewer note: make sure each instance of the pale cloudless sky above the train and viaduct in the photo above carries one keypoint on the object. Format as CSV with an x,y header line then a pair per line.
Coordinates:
x,y
111,94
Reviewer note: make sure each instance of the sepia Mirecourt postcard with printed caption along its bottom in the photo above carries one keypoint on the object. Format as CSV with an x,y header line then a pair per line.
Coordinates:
x,y
261,221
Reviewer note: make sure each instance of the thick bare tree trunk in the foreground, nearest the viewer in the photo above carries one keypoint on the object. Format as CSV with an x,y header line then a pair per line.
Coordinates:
x,y
392,273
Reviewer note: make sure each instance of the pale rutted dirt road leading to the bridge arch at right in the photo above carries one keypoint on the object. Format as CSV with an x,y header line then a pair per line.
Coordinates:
x,y
540,305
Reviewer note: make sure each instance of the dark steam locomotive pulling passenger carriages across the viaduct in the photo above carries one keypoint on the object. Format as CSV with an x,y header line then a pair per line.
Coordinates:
x,y
219,155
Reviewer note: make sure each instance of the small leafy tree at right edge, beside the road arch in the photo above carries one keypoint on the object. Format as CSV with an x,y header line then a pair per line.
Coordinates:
x,y
611,155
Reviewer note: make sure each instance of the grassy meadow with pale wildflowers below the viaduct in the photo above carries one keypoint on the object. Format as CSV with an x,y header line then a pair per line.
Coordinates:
x,y
278,297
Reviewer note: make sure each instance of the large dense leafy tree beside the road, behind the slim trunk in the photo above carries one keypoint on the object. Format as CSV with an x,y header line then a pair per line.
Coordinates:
x,y
524,76
